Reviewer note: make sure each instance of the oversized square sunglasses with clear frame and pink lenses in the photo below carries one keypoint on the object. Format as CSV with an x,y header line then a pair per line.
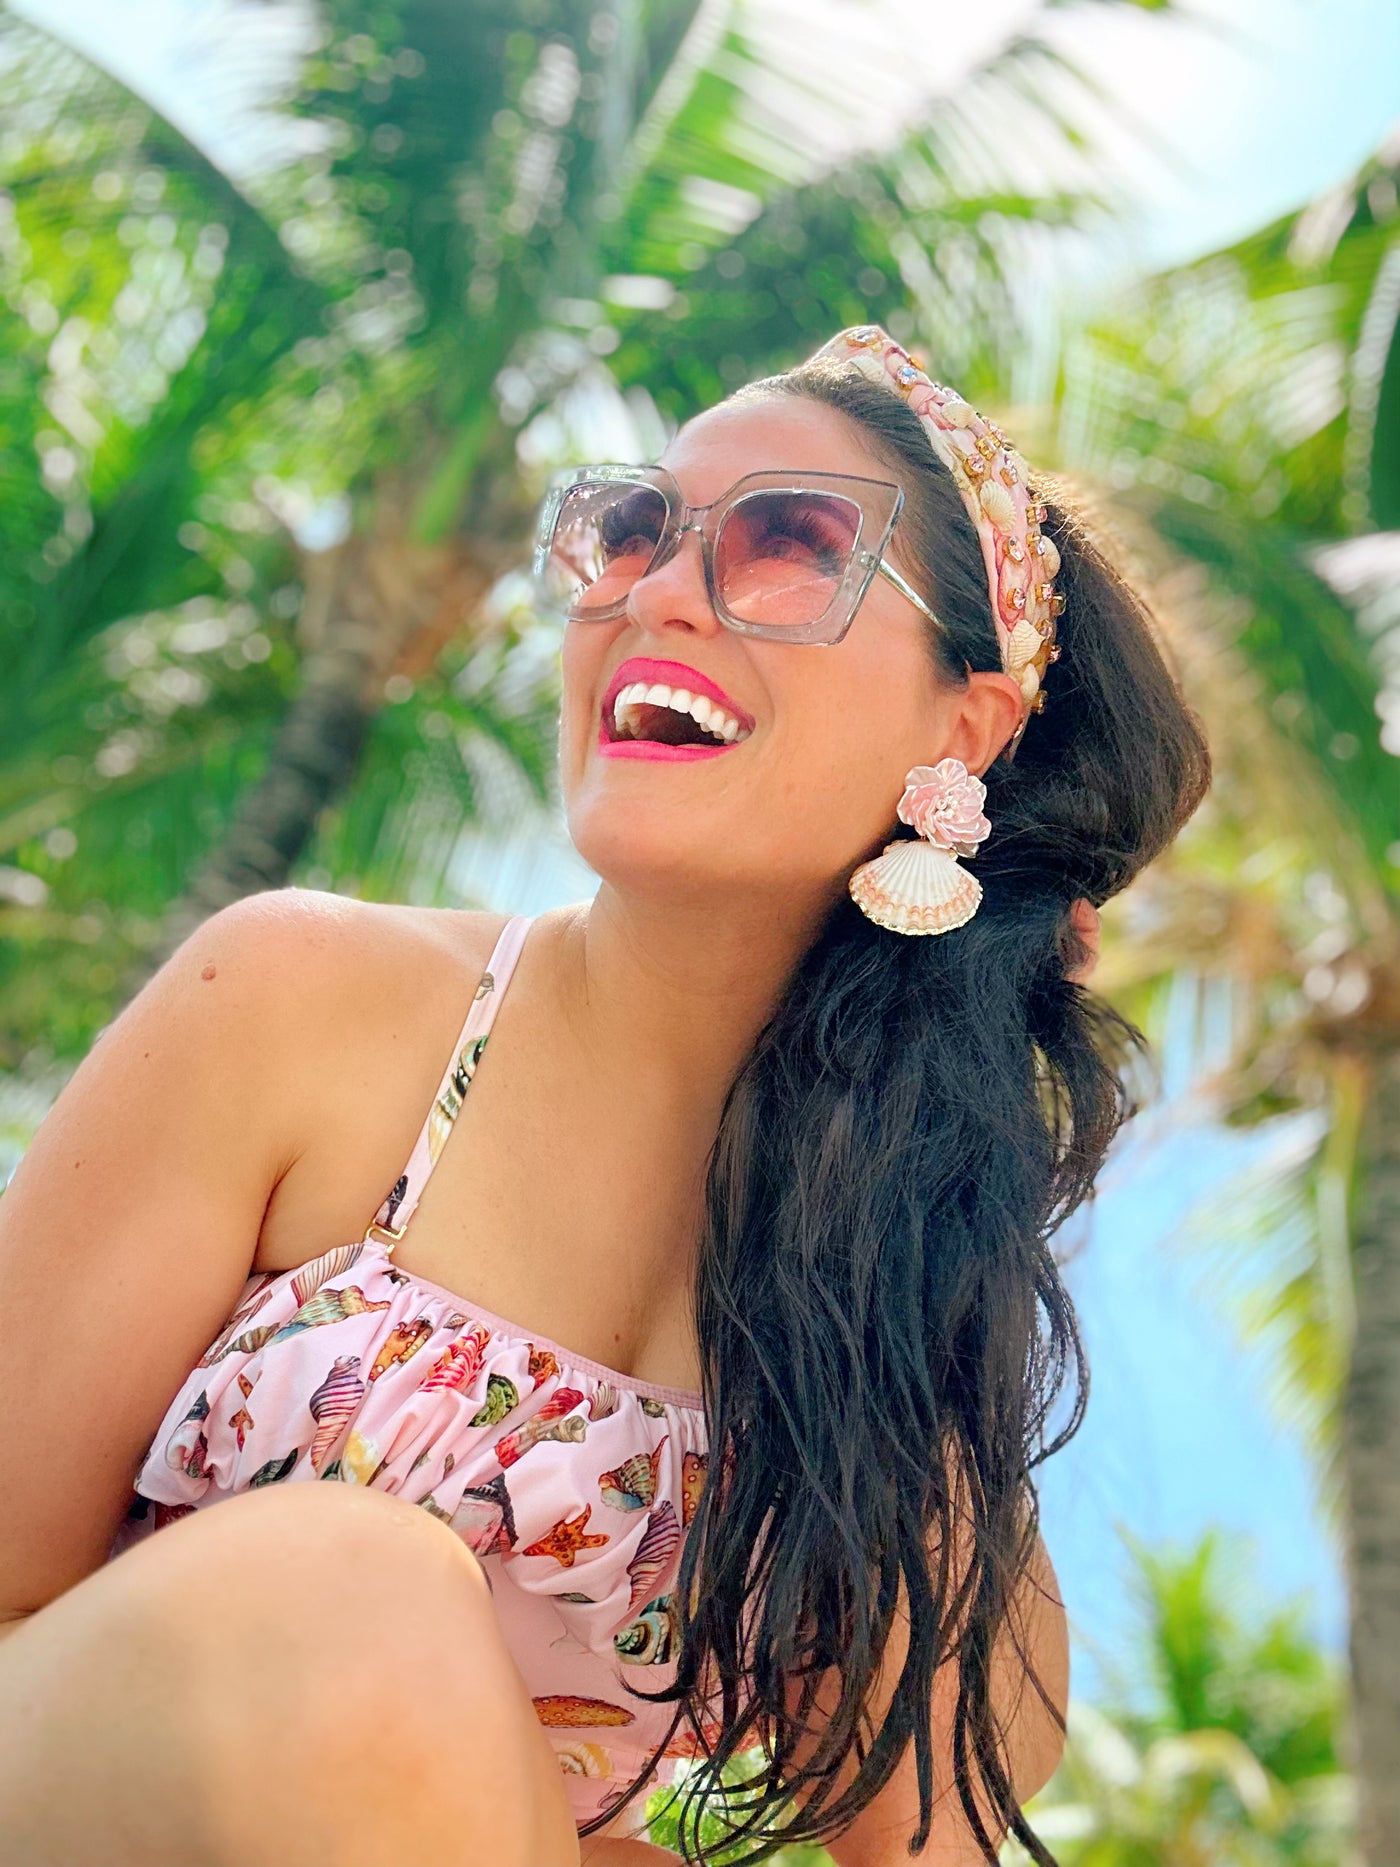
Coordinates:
x,y
787,555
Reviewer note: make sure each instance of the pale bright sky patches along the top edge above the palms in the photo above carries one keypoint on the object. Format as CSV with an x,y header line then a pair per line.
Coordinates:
x,y
1216,120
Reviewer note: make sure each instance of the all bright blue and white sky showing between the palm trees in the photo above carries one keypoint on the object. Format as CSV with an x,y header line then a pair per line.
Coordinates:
x,y
1261,105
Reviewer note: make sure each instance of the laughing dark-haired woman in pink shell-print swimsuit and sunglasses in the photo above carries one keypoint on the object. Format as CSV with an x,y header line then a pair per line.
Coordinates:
x,y
772,1136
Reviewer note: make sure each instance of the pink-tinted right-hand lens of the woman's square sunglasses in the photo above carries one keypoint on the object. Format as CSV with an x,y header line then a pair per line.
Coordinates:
x,y
781,557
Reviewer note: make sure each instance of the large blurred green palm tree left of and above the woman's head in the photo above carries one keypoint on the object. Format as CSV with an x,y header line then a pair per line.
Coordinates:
x,y
492,214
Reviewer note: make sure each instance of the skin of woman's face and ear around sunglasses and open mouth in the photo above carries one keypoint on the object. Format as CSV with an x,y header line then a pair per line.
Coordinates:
x,y
813,787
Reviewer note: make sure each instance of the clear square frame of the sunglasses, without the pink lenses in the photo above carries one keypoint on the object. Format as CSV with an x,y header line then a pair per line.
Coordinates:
x,y
880,505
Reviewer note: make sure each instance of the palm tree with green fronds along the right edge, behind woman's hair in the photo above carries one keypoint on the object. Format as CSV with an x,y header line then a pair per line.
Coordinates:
x,y
1246,417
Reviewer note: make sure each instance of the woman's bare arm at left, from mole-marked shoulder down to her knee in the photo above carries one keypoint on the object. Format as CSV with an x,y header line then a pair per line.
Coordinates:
x,y
130,1228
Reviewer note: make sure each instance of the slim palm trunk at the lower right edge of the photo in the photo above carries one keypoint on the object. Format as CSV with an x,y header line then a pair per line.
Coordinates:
x,y
1371,1453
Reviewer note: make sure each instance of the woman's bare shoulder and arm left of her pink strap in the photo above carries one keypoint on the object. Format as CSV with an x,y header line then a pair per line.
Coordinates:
x,y
273,1071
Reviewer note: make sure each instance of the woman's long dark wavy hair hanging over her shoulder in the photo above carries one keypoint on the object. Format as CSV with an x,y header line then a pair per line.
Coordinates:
x,y
888,1349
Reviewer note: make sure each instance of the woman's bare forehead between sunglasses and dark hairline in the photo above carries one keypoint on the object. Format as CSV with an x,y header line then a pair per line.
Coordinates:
x,y
763,436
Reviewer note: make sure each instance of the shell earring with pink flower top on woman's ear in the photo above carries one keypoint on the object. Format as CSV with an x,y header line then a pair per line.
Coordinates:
x,y
917,886
